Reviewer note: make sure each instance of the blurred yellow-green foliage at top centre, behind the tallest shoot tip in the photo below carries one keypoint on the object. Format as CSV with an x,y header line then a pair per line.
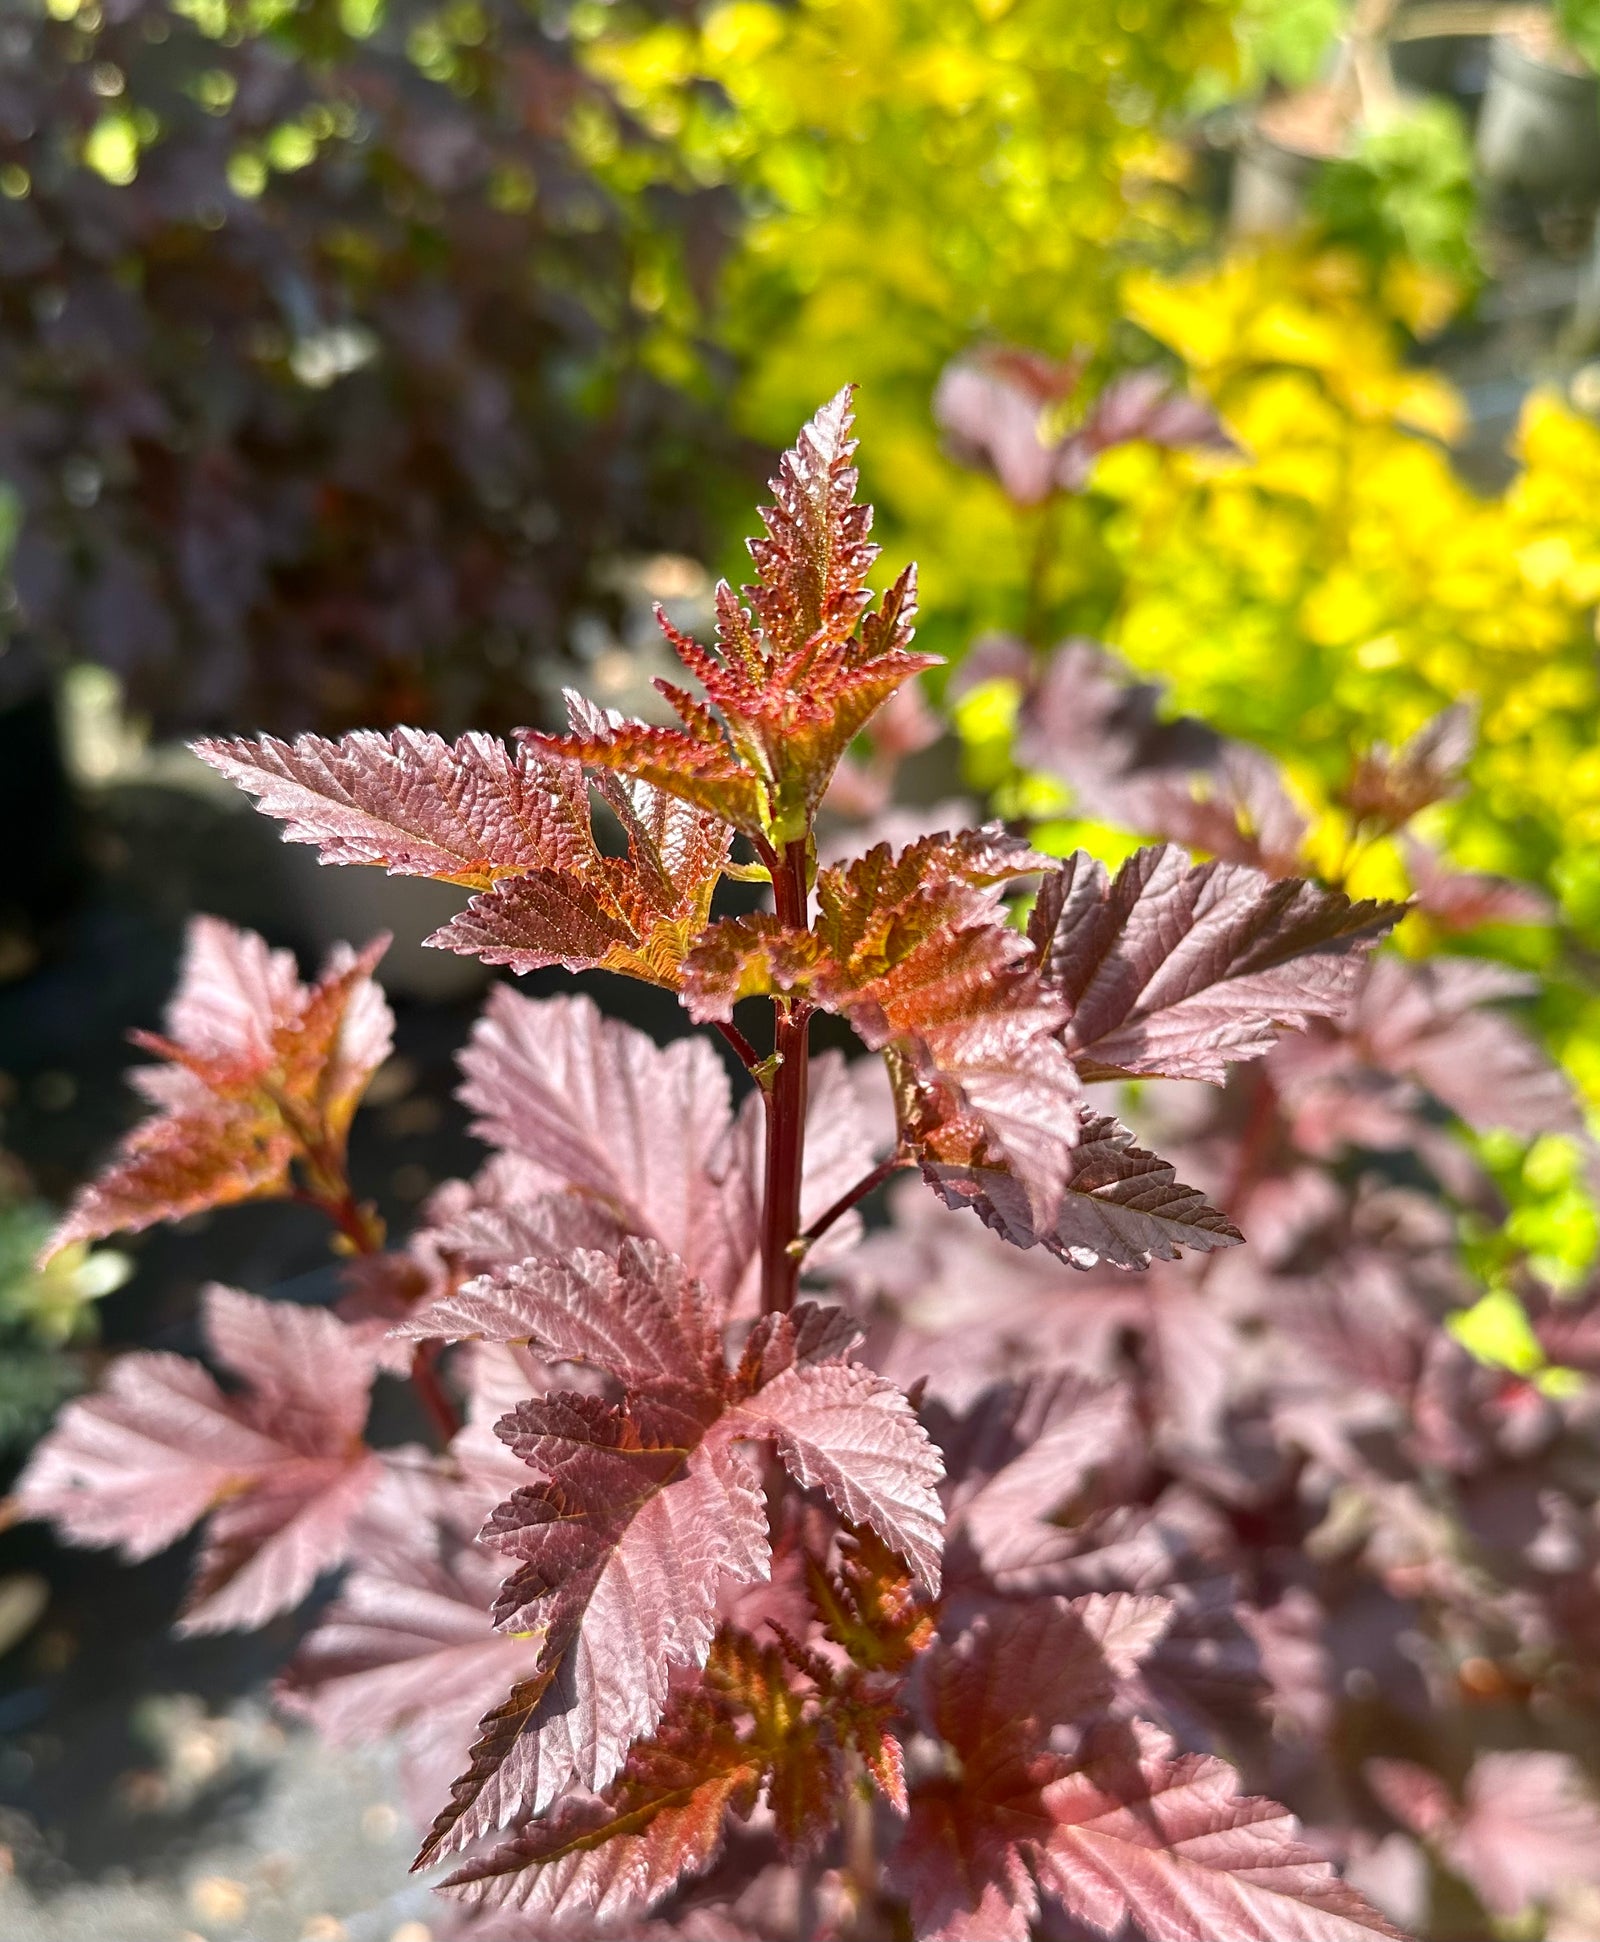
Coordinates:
x,y
919,174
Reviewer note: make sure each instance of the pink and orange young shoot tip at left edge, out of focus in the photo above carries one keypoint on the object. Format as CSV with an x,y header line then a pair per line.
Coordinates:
x,y
263,1073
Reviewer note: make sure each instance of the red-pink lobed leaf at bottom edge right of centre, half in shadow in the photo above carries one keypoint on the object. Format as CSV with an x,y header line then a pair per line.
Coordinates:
x,y
1123,1832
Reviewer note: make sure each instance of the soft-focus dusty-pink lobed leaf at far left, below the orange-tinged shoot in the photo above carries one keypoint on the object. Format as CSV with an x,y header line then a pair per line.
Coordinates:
x,y
281,1465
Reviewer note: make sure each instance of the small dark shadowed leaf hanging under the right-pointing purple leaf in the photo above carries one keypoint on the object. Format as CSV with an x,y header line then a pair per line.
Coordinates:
x,y
1121,1207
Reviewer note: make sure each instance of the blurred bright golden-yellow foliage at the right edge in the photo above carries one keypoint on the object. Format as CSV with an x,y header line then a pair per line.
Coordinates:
x,y
1341,584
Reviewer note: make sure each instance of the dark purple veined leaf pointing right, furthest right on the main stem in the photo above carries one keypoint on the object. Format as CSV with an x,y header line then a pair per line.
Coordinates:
x,y
1182,970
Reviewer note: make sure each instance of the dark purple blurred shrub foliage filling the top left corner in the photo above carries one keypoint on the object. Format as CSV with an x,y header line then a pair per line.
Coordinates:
x,y
327,362
